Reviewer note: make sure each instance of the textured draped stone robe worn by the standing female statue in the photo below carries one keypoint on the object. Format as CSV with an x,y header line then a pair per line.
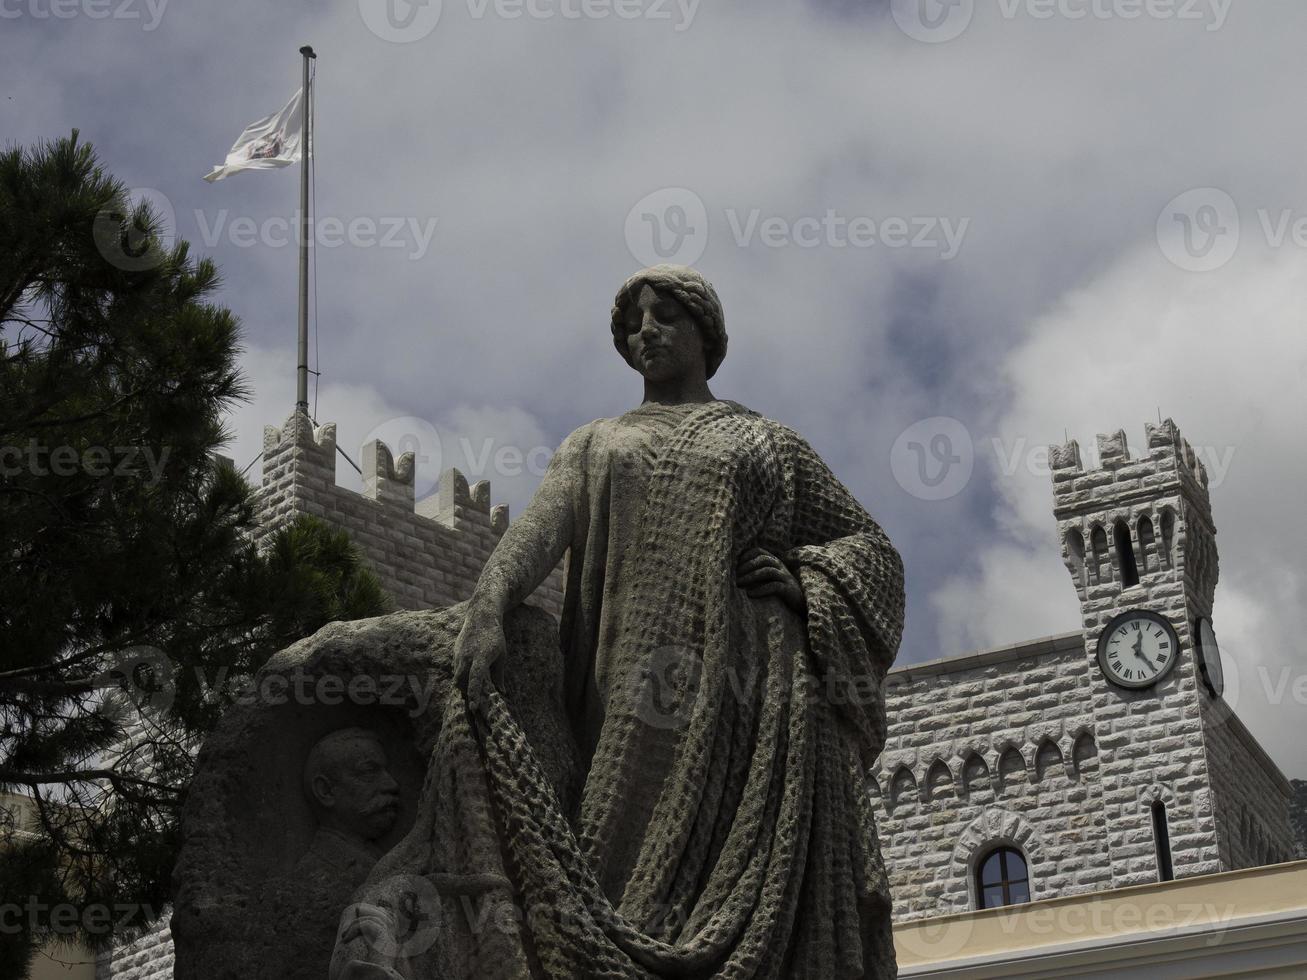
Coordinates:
x,y
723,829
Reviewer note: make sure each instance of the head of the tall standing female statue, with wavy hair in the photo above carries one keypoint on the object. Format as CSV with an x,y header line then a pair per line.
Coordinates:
x,y
672,295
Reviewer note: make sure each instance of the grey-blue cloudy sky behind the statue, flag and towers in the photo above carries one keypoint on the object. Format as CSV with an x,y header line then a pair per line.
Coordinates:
x,y
944,233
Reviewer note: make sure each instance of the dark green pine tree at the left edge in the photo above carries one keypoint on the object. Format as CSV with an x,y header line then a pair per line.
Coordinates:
x,y
131,594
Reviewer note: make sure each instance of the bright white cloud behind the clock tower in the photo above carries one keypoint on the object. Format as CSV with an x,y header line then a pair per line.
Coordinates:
x,y
1224,355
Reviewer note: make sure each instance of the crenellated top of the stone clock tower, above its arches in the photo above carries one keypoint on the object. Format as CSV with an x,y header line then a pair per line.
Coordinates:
x,y
1170,466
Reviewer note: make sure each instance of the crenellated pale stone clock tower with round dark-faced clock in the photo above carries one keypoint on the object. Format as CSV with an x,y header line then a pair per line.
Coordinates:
x,y
1140,544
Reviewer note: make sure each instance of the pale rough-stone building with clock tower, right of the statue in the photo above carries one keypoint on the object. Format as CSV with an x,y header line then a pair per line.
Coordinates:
x,y
1032,747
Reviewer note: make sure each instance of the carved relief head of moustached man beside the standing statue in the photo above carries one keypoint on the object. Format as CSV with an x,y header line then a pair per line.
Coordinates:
x,y
348,785
